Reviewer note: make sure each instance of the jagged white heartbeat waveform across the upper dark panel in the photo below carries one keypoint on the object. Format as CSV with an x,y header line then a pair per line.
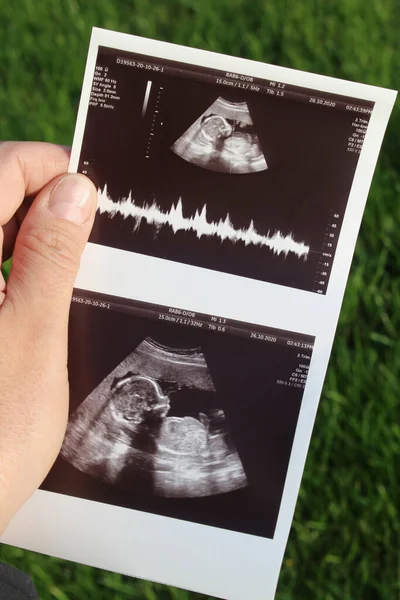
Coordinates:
x,y
153,214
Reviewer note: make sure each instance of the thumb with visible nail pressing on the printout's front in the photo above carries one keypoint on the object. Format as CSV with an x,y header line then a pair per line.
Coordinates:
x,y
48,249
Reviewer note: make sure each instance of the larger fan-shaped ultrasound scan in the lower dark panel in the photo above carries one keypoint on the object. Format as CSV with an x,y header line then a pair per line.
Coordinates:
x,y
152,426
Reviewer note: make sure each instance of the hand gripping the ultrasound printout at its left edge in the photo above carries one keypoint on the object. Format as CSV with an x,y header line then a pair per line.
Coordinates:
x,y
34,308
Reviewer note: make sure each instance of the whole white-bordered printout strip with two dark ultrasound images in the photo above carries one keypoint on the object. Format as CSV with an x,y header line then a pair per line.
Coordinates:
x,y
230,196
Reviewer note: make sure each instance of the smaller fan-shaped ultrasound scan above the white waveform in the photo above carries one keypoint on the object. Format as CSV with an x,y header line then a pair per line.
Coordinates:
x,y
223,139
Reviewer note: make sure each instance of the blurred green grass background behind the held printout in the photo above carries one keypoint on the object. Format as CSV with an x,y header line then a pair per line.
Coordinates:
x,y
345,539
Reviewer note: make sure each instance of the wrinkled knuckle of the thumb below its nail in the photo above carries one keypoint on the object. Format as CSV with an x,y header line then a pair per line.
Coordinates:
x,y
54,244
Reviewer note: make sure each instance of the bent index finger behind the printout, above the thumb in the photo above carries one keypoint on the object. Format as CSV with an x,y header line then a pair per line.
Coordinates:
x,y
26,167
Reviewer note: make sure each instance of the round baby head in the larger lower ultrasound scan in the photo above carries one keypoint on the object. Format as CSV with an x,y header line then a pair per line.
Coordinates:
x,y
137,400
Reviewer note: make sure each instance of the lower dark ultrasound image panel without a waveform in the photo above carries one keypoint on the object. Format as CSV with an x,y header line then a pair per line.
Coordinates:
x,y
190,422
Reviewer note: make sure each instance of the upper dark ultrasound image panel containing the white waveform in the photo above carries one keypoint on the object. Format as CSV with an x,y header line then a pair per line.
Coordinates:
x,y
251,178
